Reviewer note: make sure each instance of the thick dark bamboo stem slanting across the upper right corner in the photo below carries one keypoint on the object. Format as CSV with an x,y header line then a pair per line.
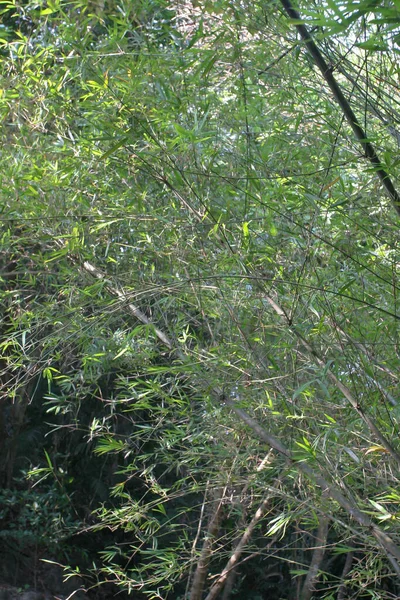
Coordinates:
x,y
360,134
